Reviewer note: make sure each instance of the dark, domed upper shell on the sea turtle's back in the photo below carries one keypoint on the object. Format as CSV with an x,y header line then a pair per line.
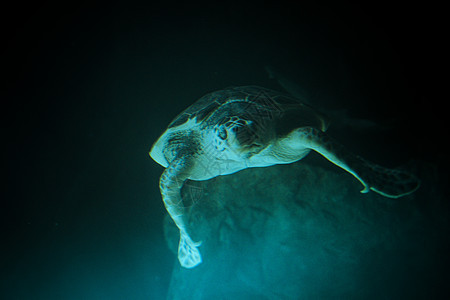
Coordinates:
x,y
257,104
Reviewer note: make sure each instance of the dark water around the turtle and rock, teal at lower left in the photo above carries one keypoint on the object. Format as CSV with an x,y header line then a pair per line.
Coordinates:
x,y
90,87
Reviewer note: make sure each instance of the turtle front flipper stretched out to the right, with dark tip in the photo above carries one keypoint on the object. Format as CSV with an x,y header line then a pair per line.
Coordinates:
x,y
387,182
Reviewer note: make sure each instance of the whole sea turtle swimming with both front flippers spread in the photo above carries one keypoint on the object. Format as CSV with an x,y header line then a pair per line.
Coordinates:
x,y
244,127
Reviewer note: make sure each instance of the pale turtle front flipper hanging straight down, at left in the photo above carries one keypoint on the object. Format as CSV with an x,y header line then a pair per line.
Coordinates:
x,y
170,184
